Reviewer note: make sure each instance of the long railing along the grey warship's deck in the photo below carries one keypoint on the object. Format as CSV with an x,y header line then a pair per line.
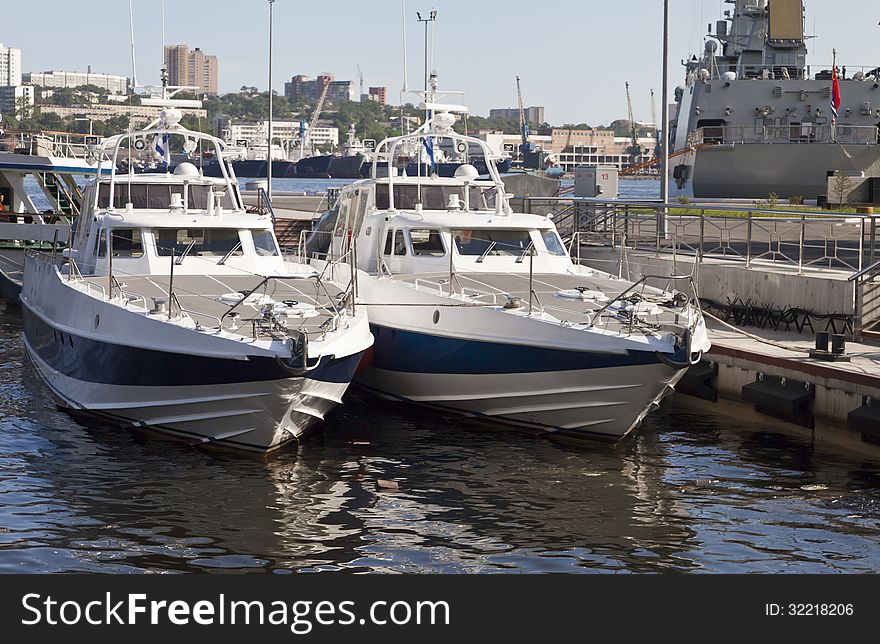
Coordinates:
x,y
790,134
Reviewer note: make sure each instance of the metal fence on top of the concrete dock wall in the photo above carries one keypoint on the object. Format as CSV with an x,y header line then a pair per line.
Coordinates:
x,y
797,239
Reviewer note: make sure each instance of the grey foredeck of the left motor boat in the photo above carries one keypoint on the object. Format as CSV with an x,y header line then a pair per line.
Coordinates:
x,y
299,303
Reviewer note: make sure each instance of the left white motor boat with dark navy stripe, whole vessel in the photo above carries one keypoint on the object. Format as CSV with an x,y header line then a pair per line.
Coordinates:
x,y
174,310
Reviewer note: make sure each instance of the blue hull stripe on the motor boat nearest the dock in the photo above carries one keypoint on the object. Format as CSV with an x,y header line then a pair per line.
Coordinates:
x,y
410,352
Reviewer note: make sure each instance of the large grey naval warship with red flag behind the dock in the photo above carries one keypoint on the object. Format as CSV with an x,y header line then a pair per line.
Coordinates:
x,y
754,118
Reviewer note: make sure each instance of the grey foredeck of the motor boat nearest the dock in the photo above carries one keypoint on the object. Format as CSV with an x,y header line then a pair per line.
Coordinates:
x,y
557,294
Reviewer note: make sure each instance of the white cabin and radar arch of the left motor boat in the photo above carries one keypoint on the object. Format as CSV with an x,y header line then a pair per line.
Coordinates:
x,y
152,217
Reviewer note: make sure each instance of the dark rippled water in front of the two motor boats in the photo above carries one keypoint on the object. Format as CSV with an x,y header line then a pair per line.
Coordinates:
x,y
692,492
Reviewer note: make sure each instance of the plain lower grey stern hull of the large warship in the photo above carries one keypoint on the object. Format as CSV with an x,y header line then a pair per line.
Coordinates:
x,y
754,170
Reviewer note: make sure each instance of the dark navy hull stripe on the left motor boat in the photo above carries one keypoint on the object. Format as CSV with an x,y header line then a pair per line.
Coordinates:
x,y
99,362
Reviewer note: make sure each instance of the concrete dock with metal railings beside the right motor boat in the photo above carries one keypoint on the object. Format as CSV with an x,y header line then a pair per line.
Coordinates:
x,y
771,280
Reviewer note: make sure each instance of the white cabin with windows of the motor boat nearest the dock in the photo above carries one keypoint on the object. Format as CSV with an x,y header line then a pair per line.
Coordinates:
x,y
419,225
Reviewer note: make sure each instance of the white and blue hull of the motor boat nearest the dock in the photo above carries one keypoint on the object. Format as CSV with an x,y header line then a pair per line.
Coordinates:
x,y
514,369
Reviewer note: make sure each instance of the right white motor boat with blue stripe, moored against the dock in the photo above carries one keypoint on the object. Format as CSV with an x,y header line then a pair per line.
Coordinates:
x,y
480,311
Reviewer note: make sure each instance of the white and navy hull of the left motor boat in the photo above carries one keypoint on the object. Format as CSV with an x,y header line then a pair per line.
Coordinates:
x,y
136,370
